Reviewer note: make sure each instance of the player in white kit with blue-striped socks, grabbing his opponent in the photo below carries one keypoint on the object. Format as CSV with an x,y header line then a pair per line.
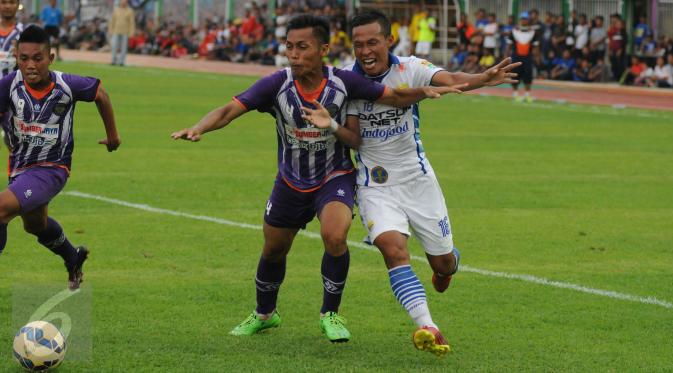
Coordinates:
x,y
397,187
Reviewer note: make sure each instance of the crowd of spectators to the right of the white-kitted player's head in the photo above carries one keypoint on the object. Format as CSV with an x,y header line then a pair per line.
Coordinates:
x,y
578,49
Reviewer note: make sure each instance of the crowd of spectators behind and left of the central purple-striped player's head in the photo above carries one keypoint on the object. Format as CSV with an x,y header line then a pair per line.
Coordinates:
x,y
255,37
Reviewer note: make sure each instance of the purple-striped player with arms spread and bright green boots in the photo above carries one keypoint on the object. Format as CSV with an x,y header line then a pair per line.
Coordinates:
x,y
315,171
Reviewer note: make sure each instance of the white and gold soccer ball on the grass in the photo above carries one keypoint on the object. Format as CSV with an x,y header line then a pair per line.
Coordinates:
x,y
39,346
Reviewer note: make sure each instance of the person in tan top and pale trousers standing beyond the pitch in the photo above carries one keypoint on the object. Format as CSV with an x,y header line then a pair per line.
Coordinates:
x,y
122,26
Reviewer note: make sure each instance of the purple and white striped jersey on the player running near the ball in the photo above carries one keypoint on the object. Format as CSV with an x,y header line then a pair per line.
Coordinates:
x,y
40,123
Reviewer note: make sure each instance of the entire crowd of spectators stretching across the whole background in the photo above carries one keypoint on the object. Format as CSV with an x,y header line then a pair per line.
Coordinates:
x,y
577,49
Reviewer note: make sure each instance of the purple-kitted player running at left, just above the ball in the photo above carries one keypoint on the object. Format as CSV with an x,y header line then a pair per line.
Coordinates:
x,y
41,105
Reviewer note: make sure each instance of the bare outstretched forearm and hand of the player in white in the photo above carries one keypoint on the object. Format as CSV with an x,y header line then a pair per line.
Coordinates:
x,y
498,74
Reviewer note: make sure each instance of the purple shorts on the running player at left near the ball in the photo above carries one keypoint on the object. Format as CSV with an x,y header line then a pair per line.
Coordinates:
x,y
36,186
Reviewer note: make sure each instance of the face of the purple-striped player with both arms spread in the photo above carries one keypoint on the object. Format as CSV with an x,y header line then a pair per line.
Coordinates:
x,y
305,52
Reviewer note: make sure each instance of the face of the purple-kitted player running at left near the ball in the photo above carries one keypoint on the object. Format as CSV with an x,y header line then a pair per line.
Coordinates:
x,y
34,60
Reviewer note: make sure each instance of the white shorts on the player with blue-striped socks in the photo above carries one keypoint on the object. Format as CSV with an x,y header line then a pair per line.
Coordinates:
x,y
418,203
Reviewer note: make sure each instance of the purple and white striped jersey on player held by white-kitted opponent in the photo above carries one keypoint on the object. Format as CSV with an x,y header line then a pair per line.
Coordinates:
x,y
308,156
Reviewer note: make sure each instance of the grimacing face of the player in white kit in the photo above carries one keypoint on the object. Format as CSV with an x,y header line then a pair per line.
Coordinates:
x,y
371,48
